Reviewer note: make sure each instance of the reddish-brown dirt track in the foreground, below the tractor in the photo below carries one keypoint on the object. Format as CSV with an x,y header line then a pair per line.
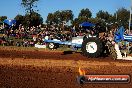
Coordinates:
x,y
54,69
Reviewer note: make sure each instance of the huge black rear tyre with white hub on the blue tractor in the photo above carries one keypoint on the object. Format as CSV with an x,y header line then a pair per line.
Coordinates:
x,y
92,47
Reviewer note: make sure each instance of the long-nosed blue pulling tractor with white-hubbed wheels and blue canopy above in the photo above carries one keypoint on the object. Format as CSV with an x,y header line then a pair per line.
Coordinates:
x,y
90,44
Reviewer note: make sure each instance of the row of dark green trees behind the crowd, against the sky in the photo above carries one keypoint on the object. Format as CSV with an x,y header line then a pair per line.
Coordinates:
x,y
103,18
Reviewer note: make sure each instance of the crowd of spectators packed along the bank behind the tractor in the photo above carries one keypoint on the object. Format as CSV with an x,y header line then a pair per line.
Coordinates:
x,y
29,36
